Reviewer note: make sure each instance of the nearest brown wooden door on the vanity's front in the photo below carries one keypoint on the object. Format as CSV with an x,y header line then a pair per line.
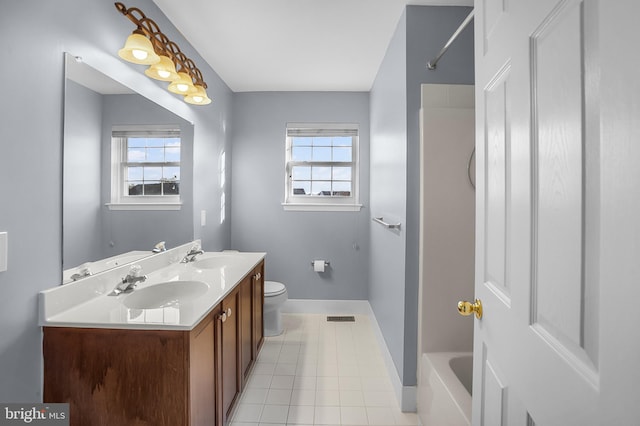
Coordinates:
x,y
202,373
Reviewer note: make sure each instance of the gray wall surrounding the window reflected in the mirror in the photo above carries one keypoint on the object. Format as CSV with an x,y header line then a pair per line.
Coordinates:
x,y
125,230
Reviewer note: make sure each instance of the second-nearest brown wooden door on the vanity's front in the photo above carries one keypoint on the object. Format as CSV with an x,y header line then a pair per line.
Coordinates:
x,y
230,352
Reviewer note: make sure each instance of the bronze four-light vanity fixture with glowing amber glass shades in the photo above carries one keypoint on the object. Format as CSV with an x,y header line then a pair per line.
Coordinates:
x,y
148,45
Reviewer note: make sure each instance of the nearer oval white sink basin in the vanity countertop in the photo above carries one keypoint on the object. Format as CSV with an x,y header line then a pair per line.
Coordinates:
x,y
165,294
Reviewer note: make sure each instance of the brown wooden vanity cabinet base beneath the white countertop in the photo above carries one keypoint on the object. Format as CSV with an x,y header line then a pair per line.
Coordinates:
x,y
158,377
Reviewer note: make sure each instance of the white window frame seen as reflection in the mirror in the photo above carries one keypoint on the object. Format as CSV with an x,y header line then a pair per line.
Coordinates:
x,y
120,199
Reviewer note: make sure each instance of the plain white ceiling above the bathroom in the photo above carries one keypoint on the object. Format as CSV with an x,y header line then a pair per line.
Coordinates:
x,y
292,45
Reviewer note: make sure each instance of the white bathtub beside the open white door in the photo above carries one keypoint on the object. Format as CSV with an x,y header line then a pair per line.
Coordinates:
x,y
444,389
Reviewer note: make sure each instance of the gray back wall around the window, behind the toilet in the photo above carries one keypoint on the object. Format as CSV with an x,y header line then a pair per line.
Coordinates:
x,y
293,239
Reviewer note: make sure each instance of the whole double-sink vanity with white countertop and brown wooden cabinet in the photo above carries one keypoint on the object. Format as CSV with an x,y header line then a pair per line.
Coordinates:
x,y
176,350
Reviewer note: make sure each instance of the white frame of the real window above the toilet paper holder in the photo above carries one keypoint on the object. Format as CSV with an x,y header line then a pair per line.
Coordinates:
x,y
324,202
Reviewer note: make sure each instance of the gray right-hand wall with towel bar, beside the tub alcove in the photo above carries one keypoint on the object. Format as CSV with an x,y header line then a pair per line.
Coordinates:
x,y
395,131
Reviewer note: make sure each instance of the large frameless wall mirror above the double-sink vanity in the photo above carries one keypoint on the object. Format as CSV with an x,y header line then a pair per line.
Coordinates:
x,y
95,105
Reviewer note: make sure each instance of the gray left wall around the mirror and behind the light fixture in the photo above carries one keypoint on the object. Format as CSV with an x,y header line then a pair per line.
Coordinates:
x,y
34,35
